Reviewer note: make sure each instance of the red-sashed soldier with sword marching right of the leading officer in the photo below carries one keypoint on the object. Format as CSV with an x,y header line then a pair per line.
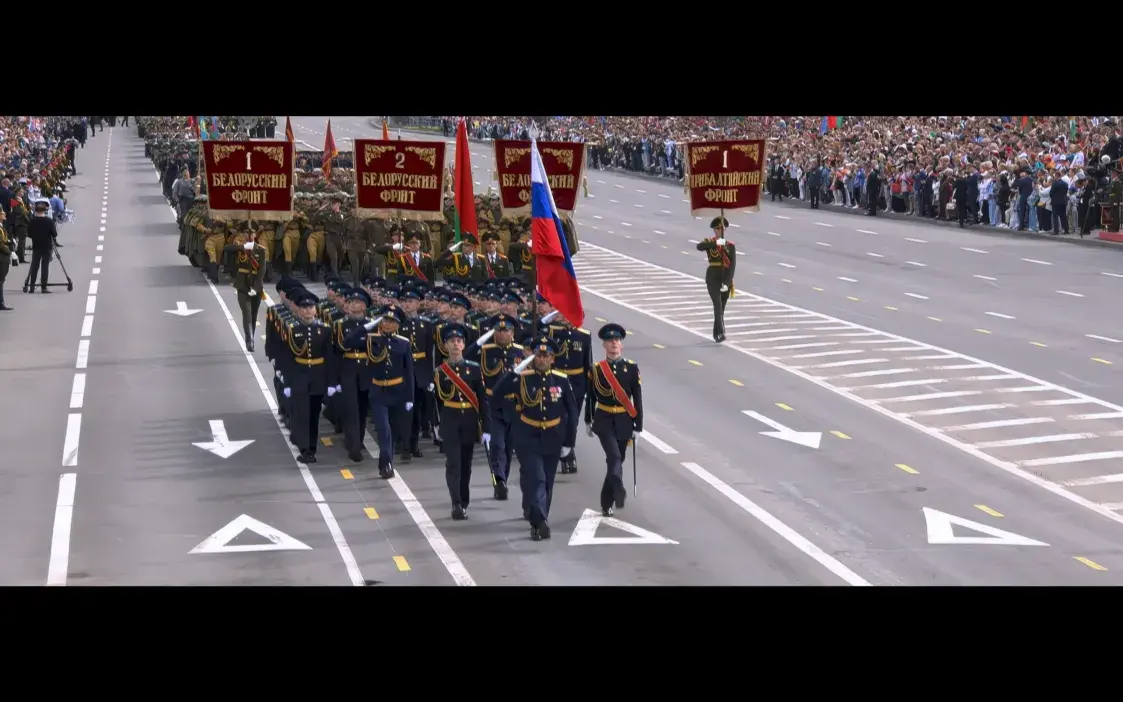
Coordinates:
x,y
615,413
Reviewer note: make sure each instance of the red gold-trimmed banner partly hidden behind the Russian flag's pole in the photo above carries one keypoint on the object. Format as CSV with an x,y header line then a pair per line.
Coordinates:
x,y
565,168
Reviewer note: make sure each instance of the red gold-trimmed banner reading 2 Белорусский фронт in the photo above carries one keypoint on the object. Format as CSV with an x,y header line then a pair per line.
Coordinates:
x,y
400,179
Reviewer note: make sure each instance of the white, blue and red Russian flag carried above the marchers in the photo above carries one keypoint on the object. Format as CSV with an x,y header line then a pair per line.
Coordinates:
x,y
558,282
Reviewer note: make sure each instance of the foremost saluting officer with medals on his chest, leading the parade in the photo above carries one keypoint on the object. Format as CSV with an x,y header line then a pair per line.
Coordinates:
x,y
546,424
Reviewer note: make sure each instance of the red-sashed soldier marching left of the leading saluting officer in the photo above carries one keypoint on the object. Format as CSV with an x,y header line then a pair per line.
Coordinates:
x,y
465,417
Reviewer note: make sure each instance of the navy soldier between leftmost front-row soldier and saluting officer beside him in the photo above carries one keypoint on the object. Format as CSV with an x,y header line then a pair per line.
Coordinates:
x,y
353,389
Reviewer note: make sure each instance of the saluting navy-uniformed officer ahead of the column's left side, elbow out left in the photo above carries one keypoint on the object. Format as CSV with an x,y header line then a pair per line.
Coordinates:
x,y
390,380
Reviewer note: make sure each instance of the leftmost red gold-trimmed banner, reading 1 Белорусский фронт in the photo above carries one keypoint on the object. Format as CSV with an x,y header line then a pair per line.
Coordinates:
x,y
250,180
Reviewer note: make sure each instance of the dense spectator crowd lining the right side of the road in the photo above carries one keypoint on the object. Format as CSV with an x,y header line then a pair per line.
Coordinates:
x,y
1012,172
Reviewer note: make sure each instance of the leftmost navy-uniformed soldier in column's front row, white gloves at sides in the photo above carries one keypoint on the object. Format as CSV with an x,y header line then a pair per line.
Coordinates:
x,y
306,371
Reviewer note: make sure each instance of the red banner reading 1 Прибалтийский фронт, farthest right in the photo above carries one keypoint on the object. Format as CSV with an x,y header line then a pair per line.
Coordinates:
x,y
725,176
